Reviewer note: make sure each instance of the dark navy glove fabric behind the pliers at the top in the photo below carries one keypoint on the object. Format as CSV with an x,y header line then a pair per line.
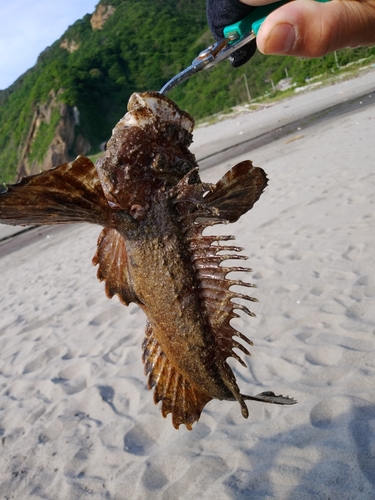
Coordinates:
x,y
222,13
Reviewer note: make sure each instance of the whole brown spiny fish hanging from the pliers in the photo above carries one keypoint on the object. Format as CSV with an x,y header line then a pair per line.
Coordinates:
x,y
146,193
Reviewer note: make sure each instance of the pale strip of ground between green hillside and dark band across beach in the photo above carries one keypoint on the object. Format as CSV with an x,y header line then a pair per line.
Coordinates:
x,y
247,131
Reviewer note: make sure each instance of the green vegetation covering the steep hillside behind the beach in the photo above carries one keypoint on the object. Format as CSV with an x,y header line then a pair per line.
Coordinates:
x,y
139,46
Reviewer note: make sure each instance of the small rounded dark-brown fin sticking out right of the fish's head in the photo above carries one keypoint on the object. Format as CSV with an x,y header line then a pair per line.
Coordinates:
x,y
237,191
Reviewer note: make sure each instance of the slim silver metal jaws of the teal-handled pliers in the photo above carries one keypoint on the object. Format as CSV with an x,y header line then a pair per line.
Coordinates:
x,y
209,57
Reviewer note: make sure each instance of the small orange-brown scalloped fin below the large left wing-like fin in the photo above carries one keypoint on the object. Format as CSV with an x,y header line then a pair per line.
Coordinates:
x,y
112,258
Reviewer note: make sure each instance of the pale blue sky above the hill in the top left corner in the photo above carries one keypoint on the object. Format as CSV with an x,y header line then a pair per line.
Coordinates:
x,y
29,26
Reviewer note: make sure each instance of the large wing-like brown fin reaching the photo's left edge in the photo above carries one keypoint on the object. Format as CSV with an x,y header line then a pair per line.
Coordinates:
x,y
70,192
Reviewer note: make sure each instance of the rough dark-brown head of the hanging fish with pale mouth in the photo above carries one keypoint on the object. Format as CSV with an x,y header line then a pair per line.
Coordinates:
x,y
147,153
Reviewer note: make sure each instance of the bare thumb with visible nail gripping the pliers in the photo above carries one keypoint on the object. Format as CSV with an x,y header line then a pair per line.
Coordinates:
x,y
311,29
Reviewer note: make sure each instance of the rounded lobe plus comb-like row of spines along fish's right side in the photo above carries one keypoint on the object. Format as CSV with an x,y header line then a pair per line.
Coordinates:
x,y
232,196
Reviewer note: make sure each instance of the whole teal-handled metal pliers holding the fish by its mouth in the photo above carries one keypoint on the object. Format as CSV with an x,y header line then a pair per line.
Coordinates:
x,y
235,36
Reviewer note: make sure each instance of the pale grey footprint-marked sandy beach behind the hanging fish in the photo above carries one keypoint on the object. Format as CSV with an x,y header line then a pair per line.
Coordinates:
x,y
76,418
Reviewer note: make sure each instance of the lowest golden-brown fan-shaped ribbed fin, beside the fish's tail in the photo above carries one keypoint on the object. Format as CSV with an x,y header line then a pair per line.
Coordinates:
x,y
178,396
